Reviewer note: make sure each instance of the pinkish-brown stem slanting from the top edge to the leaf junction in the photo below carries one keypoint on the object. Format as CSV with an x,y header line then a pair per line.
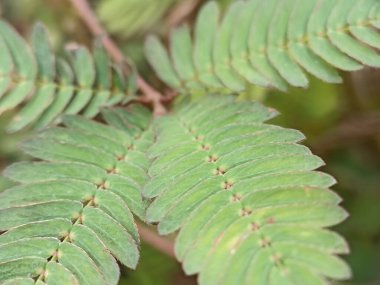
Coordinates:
x,y
87,15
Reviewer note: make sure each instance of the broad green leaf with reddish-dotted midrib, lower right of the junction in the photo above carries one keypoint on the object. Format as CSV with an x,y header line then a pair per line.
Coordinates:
x,y
250,207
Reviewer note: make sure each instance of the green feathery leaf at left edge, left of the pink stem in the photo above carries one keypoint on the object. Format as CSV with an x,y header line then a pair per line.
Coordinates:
x,y
50,87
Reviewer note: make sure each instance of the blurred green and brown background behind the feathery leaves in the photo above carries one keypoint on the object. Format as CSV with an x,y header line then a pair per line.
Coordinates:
x,y
341,122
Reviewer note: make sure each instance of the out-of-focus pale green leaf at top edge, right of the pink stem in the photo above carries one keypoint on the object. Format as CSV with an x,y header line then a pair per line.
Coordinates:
x,y
131,17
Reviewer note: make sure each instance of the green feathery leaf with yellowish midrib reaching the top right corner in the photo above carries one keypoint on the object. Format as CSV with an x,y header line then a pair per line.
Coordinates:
x,y
271,43
